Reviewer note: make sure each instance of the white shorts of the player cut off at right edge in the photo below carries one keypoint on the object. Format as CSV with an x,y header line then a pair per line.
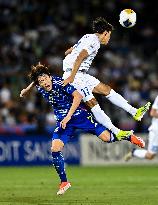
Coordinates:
x,y
153,141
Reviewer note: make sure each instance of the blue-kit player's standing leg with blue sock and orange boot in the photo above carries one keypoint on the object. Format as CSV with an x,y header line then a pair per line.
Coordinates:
x,y
58,162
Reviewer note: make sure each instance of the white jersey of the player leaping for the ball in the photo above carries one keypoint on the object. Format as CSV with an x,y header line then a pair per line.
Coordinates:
x,y
91,44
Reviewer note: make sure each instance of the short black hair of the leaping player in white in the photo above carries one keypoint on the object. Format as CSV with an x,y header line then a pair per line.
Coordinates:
x,y
100,25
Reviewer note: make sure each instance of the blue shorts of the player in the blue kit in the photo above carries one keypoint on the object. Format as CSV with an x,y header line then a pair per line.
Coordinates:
x,y
84,121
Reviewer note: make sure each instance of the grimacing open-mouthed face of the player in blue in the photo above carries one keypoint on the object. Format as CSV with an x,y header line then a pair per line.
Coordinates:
x,y
45,81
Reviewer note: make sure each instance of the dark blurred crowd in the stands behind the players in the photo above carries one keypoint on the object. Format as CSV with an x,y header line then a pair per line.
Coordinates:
x,y
33,31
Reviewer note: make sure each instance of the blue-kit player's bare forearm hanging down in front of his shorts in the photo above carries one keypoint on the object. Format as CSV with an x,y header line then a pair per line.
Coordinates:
x,y
77,97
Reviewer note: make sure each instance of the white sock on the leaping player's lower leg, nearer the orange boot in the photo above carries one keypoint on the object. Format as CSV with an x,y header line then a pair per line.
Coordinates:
x,y
103,119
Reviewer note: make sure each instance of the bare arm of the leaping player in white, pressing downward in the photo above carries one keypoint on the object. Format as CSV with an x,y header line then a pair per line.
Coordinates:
x,y
83,54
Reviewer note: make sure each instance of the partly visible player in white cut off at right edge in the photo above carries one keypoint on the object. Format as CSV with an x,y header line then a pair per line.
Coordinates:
x,y
152,150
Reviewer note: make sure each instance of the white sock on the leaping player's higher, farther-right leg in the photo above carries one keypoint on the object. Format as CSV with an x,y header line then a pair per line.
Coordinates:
x,y
118,100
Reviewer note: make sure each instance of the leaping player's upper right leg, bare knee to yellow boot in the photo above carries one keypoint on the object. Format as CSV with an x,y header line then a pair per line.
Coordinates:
x,y
118,100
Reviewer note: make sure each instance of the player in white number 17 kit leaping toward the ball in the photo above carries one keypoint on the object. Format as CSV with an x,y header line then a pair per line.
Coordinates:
x,y
76,64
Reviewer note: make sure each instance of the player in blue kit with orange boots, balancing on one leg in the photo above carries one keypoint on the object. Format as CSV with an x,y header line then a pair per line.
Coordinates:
x,y
70,114
